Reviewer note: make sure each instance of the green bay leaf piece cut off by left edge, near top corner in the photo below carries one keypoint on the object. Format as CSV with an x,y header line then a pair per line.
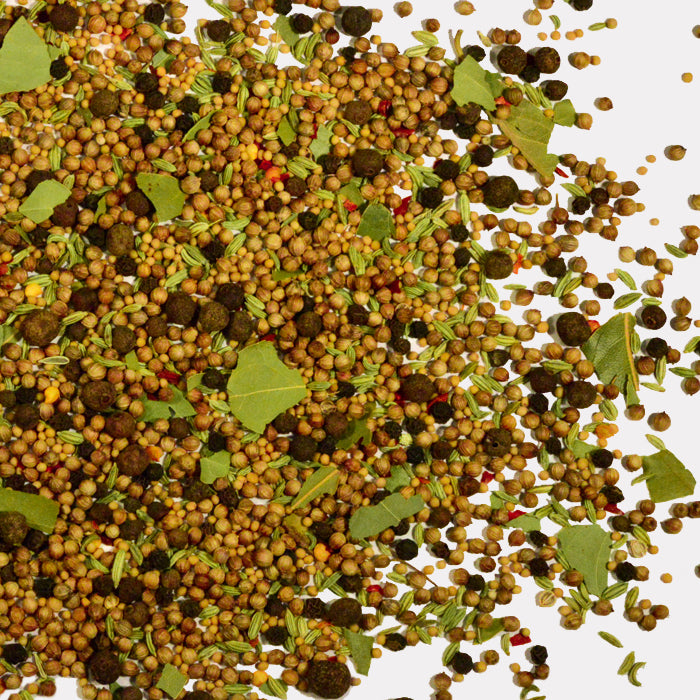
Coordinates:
x,y
24,60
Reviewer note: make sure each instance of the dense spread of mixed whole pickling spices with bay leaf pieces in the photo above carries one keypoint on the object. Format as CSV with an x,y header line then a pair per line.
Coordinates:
x,y
262,356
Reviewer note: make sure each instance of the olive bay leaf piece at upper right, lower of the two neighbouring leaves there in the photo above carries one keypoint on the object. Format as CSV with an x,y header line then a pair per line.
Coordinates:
x,y
529,131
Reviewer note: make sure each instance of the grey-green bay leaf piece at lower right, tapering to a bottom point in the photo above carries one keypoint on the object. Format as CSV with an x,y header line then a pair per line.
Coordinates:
x,y
587,549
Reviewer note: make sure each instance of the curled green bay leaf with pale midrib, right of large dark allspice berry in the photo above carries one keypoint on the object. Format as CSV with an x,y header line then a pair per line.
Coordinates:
x,y
610,351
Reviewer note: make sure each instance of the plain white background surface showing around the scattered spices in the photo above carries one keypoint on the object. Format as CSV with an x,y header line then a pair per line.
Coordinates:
x,y
642,63
